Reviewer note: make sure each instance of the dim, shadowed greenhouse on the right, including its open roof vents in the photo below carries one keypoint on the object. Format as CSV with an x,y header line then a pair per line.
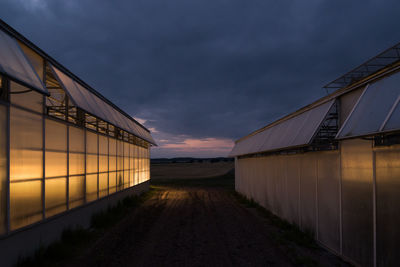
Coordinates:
x,y
333,167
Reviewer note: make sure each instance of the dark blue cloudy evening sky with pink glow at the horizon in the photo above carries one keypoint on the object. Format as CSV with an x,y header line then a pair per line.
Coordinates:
x,y
201,74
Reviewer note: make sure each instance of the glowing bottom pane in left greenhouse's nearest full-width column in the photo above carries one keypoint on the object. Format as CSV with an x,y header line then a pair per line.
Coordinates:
x,y
25,203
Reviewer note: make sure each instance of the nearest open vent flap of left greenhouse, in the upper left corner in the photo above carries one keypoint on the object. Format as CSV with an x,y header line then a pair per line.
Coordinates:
x,y
14,63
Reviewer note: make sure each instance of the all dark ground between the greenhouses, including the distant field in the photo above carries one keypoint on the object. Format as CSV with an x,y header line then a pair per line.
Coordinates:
x,y
192,217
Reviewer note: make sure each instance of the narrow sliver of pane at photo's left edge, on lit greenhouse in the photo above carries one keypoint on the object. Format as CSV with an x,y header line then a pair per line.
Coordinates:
x,y
3,168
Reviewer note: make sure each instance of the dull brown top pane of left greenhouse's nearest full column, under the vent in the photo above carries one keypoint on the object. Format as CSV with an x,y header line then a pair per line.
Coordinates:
x,y
24,97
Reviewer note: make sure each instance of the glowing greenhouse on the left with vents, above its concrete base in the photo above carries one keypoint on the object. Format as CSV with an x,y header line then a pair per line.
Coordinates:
x,y
62,144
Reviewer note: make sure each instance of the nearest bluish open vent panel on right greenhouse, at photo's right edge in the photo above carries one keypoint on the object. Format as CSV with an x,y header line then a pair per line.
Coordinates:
x,y
372,113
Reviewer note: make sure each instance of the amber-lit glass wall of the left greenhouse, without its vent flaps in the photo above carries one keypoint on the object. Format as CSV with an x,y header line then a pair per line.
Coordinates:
x,y
54,156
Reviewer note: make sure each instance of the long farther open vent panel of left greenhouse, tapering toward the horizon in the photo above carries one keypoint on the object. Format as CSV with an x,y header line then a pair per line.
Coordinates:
x,y
89,102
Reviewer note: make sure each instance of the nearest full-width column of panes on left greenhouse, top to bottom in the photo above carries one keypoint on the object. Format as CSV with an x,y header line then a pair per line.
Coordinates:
x,y
26,156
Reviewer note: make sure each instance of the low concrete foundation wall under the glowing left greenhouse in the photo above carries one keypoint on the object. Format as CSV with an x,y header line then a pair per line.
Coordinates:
x,y
24,242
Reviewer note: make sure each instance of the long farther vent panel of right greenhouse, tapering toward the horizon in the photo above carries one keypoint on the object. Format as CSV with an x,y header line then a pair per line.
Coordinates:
x,y
296,131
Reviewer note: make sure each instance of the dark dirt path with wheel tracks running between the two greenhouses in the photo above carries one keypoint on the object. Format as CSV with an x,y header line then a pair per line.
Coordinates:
x,y
191,227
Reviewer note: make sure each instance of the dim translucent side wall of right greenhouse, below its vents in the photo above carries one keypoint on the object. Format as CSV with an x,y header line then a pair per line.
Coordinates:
x,y
347,198
